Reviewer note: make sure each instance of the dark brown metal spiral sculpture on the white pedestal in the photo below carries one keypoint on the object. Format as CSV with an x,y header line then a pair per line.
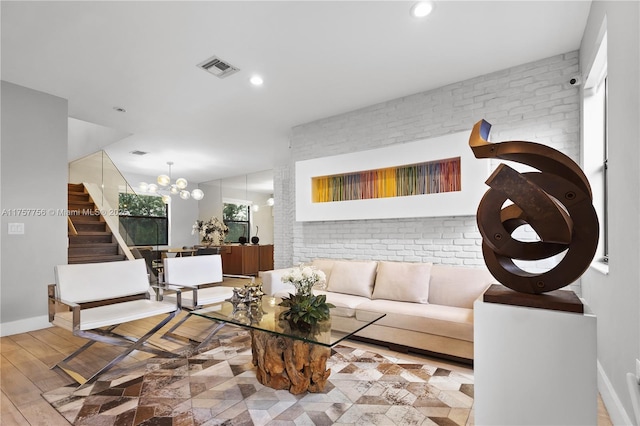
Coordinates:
x,y
556,202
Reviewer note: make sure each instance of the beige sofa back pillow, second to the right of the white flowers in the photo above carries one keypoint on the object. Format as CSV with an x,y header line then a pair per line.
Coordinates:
x,y
403,281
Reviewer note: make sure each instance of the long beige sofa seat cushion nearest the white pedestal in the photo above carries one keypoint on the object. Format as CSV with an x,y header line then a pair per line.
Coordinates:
x,y
447,321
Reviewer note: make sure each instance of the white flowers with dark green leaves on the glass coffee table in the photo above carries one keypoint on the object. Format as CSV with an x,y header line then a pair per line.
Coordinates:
x,y
304,308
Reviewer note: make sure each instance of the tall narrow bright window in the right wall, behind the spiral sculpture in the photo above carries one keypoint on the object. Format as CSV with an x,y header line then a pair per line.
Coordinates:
x,y
595,148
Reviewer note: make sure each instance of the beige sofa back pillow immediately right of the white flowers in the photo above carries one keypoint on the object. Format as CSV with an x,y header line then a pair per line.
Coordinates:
x,y
353,277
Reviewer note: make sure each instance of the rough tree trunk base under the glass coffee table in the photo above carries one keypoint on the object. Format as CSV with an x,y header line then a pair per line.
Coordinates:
x,y
285,363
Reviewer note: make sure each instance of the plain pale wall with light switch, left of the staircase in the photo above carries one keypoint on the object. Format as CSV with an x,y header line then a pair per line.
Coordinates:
x,y
33,176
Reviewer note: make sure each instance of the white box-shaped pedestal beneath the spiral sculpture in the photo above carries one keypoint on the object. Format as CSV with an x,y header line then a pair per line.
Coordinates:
x,y
534,366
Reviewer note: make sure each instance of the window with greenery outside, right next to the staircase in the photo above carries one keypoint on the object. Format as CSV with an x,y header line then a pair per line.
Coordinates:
x,y
144,220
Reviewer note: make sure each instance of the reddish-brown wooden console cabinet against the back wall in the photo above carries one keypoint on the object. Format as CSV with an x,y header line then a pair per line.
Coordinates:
x,y
246,259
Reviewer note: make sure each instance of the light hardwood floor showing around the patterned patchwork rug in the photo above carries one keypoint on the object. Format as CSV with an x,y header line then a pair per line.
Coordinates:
x,y
26,358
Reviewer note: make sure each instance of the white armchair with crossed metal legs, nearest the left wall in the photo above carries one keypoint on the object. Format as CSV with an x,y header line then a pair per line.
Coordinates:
x,y
98,298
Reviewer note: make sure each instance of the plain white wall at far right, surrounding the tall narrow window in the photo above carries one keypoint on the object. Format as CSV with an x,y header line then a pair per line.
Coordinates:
x,y
615,297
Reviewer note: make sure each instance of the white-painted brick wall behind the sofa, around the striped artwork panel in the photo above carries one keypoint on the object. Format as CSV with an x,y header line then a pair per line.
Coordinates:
x,y
532,102
